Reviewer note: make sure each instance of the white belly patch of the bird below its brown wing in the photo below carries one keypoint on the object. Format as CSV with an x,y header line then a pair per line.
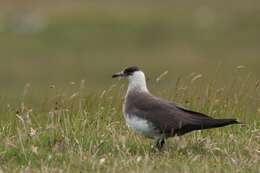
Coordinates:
x,y
141,126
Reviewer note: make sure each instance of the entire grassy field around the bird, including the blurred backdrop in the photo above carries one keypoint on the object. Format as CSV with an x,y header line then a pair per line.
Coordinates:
x,y
61,110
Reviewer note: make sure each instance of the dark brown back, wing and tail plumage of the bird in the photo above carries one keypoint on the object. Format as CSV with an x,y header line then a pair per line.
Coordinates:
x,y
169,118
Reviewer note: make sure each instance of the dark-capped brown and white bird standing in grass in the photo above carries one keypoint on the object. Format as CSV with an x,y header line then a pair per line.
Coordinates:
x,y
158,118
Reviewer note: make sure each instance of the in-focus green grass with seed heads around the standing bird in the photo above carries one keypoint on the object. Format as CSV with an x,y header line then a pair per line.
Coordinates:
x,y
72,132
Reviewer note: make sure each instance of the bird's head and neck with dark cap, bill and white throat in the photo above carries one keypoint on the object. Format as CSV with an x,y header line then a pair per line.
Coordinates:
x,y
135,77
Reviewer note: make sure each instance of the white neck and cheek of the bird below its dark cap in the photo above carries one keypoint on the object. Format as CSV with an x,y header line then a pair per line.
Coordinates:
x,y
137,82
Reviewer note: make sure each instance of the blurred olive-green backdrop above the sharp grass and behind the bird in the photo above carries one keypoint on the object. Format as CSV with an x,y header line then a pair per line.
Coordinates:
x,y
57,42
